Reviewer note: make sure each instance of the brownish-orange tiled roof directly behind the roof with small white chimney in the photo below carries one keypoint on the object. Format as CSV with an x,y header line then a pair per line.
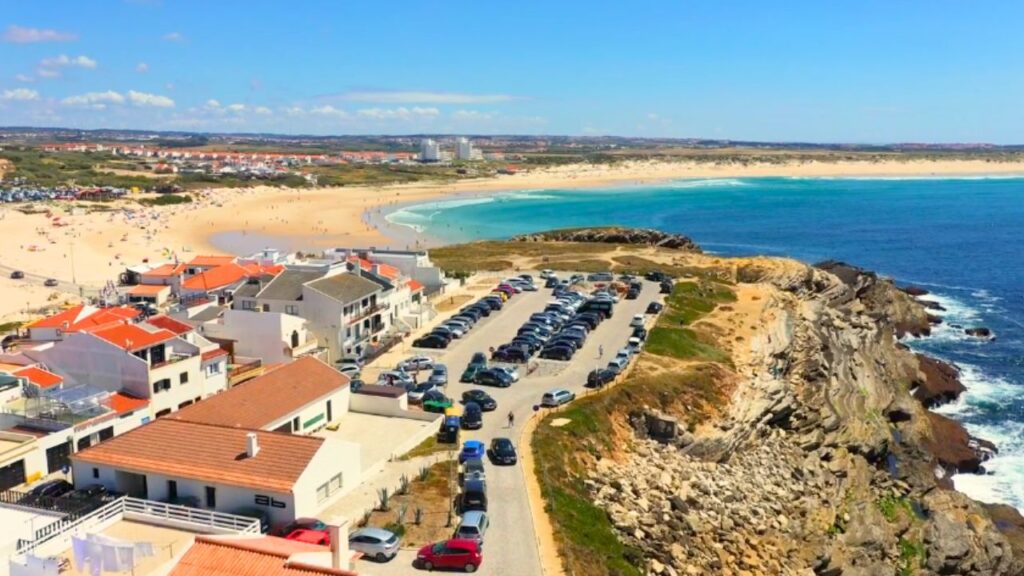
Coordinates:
x,y
261,402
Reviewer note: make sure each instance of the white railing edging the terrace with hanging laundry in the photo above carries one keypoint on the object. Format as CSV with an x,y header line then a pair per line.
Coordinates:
x,y
145,511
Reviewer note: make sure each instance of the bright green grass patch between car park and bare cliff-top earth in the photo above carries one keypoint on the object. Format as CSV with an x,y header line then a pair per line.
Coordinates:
x,y
689,302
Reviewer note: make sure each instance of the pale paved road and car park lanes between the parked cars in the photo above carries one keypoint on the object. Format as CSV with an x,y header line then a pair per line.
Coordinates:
x,y
511,543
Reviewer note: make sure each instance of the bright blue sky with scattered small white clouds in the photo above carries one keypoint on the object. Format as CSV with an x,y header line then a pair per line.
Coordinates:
x,y
864,72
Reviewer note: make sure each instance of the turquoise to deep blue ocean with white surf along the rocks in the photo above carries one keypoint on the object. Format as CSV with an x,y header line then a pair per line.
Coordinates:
x,y
963,239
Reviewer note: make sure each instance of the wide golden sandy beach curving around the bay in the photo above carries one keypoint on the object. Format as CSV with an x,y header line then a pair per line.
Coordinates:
x,y
94,249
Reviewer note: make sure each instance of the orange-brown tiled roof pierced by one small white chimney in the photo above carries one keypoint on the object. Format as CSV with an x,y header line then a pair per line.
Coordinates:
x,y
208,454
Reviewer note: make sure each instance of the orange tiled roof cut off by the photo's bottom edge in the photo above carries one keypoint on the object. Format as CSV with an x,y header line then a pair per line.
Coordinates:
x,y
250,557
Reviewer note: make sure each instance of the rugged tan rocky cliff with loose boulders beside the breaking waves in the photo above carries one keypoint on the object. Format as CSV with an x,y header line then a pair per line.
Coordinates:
x,y
827,461
